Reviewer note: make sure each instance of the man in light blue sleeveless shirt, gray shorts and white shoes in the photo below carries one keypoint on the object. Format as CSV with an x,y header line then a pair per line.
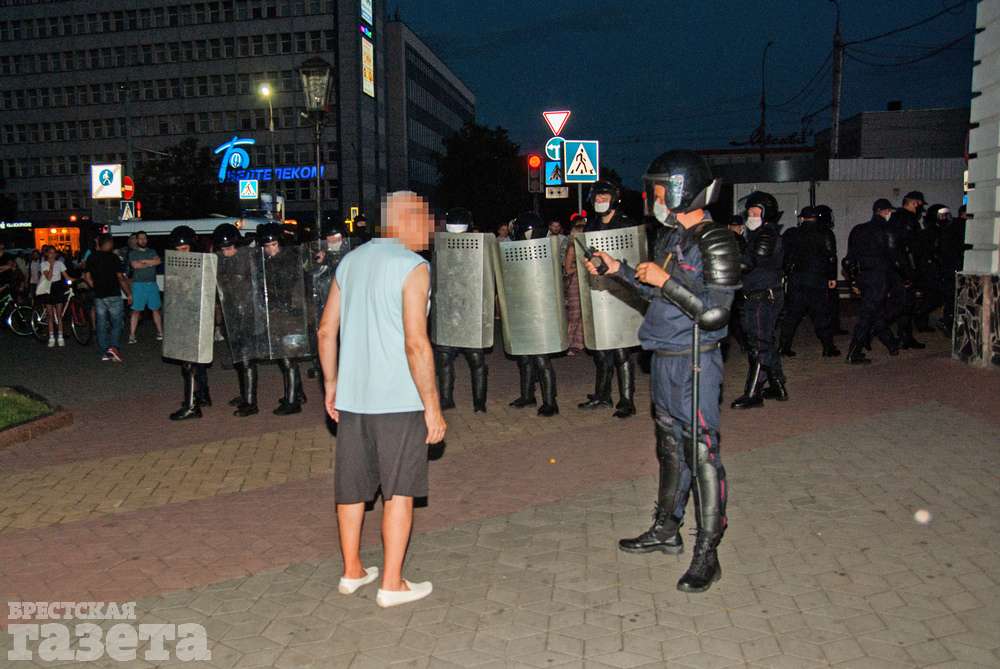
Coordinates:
x,y
381,390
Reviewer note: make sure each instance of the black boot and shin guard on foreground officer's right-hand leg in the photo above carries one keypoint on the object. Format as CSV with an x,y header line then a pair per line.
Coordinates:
x,y
708,486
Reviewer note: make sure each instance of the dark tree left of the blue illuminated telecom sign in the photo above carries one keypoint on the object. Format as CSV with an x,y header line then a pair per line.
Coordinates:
x,y
184,184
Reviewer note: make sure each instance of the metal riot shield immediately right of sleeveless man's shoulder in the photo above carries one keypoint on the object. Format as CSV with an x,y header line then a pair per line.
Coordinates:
x,y
463,296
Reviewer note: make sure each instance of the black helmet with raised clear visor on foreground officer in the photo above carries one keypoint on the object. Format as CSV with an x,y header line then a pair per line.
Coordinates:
x,y
686,182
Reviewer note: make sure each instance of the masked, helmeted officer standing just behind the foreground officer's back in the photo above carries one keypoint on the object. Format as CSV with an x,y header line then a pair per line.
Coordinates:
x,y
762,300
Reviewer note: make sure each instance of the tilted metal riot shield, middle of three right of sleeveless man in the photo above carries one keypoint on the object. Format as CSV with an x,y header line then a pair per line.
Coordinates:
x,y
532,304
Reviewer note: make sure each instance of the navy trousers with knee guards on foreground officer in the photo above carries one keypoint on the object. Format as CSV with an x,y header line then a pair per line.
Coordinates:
x,y
671,390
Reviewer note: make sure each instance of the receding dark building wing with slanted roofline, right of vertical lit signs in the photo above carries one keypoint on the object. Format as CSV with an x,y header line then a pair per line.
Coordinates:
x,y
426,103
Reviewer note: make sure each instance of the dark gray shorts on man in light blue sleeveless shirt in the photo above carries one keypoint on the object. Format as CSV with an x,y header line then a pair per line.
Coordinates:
x,y
380,450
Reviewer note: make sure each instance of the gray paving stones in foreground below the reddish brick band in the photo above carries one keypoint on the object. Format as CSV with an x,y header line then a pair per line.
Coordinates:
x,y
824,565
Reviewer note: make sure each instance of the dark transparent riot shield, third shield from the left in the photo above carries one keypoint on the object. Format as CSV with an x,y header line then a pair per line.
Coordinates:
x,y
280,304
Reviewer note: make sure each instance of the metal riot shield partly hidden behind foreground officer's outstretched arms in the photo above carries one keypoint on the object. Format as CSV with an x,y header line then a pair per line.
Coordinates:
x,y
611,311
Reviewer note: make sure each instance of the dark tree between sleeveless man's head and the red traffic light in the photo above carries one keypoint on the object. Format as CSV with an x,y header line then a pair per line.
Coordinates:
x,y
482,171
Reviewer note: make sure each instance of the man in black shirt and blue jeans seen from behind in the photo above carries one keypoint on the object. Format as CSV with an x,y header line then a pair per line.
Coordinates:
x,y
105,275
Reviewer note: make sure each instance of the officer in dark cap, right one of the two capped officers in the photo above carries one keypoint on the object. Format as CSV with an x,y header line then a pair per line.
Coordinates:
x,y
904,226
